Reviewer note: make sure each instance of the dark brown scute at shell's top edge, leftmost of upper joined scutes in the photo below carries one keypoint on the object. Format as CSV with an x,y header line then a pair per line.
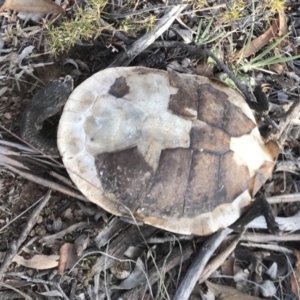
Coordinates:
x,y
184,102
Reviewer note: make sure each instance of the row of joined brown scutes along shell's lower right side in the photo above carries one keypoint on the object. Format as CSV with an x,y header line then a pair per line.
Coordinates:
x,y
182,187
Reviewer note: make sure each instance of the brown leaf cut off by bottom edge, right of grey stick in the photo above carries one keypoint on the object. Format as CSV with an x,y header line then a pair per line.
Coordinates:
x,y
227,292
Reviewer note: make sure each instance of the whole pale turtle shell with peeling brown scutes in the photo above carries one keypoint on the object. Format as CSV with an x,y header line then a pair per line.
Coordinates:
x,y
176,151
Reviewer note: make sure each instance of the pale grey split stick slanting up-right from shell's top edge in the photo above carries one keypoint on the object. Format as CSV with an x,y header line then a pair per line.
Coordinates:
x,y
124,58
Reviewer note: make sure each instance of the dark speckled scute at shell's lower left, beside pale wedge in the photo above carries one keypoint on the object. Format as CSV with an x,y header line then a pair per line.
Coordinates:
x,y
128,181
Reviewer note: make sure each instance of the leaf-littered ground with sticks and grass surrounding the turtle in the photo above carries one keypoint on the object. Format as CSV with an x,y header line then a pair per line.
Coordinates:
x,y
68,248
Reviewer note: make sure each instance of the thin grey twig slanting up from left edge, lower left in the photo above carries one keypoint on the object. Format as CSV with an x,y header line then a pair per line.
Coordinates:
x,y
15,245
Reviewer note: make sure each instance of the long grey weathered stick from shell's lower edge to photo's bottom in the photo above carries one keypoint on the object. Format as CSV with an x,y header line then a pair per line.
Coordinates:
x,y
188,283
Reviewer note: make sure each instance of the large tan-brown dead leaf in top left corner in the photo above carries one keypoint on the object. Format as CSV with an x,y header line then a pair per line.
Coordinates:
x,y
33,6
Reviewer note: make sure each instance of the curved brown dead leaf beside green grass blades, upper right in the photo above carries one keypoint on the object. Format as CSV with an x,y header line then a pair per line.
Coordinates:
x,y
259,42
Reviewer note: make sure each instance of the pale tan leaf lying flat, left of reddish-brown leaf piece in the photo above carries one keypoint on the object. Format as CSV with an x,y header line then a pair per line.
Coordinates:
x,y
39,262
